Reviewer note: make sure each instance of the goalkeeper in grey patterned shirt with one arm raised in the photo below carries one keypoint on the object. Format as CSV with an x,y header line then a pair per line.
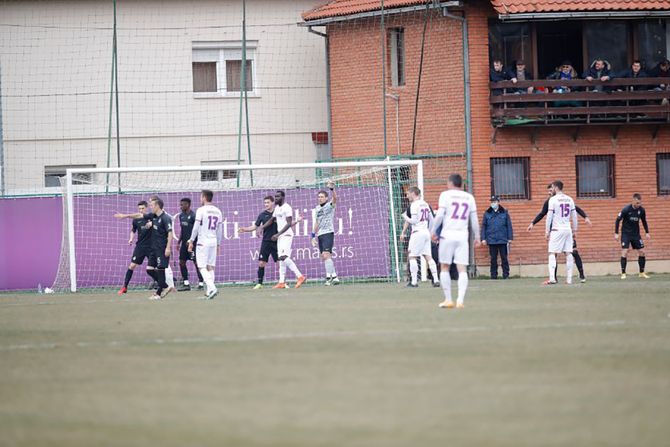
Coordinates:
x,y
324,230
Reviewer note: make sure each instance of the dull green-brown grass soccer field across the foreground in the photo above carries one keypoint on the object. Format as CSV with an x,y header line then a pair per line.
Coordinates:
x,y
354,365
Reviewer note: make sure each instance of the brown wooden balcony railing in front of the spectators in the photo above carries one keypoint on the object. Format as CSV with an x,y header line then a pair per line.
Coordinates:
x,y
614,102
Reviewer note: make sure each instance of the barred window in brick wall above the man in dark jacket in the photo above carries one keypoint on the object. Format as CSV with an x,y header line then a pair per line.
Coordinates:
x,y
510,178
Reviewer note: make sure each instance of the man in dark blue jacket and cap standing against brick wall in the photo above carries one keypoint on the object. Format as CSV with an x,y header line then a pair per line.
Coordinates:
x,y
497,233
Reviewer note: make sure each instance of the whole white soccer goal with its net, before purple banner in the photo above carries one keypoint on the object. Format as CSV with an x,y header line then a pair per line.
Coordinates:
x,y
96,248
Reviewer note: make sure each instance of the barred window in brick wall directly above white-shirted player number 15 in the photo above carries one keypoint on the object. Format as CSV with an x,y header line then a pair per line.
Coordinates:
x,y
595,176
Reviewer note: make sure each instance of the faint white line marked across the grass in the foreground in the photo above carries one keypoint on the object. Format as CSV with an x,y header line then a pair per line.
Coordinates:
x,y
316,335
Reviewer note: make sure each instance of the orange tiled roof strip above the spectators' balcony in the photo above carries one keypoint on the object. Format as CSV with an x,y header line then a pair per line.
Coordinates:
x,y
534,6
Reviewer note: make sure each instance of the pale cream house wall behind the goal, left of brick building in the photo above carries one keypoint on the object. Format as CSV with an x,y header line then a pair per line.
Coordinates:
x,y
178,80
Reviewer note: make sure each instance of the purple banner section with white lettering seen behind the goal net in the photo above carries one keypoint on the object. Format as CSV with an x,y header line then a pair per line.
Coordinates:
x,y
361,242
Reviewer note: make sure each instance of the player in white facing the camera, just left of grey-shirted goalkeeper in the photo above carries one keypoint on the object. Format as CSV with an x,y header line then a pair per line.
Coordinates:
x,y
283,217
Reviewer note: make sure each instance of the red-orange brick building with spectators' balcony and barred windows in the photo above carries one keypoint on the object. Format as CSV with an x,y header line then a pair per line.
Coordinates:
x,y
603,150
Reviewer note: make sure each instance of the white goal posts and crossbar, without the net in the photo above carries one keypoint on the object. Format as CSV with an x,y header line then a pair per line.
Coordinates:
x,y
386,163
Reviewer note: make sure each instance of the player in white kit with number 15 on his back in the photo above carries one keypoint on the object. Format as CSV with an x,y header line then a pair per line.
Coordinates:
x,y
561,213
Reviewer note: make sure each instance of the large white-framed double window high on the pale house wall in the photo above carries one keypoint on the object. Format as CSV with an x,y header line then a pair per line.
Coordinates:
x,y
217,68
